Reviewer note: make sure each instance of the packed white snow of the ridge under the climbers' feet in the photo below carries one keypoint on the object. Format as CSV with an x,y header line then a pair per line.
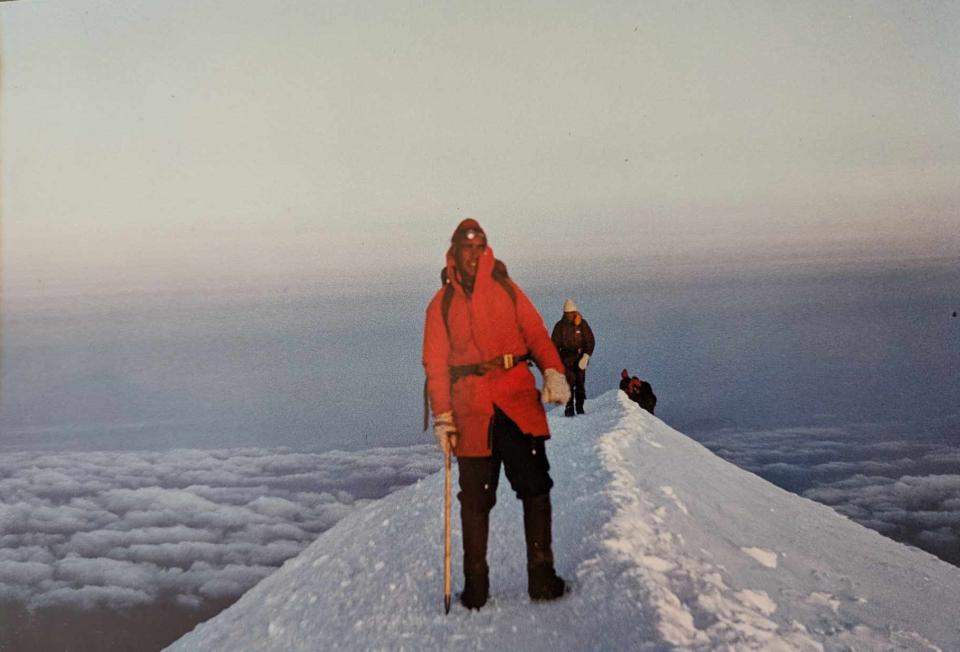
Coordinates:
x,y
666,546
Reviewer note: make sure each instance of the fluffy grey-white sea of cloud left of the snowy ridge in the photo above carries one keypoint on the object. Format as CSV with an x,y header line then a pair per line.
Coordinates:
x,y
130,528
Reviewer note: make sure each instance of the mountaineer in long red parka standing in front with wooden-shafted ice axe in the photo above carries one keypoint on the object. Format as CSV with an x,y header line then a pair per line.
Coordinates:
x,y
480,331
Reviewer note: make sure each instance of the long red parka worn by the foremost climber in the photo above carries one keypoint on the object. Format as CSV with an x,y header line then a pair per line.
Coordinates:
x,y
486,325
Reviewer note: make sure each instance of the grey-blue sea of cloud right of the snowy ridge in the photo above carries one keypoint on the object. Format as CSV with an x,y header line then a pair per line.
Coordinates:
x,y
905,487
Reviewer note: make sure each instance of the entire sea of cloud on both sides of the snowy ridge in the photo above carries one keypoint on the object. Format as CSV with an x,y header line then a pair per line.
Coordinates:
x,y
123,529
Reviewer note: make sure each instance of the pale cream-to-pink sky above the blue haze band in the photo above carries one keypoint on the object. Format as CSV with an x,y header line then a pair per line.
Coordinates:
x,y
206,140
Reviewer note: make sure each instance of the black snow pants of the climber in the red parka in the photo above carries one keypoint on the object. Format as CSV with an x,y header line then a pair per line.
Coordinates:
x,y
524,459
